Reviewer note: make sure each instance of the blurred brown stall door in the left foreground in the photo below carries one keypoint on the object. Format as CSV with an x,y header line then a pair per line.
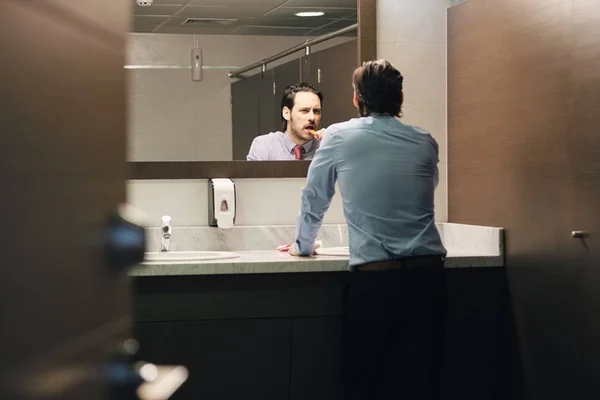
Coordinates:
x,y
62,173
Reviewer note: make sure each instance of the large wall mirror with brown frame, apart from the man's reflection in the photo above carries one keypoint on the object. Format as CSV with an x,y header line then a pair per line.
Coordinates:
x,y
206,77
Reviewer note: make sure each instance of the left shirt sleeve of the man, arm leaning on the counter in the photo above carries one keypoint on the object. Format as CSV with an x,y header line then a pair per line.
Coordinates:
x,y
316,195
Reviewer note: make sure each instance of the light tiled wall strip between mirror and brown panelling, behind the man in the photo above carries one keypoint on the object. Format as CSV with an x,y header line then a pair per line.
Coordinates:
x,y
411,34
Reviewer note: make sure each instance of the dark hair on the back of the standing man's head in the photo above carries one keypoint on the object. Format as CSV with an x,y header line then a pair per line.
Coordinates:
x,y
378,87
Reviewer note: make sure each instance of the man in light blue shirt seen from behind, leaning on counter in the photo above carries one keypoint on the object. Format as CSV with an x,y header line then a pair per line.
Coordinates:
x,y
394,307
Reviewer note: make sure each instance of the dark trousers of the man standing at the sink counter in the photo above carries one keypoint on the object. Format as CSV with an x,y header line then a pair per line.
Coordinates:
x,y
393,329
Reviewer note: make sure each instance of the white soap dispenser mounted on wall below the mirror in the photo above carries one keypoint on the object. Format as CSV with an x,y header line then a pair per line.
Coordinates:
x,y
221,203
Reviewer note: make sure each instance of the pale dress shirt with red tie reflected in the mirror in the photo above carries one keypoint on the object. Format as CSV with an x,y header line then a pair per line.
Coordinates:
x,y
278,146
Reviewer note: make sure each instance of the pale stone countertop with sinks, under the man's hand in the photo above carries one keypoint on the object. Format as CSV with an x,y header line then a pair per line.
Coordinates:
x,y
272,261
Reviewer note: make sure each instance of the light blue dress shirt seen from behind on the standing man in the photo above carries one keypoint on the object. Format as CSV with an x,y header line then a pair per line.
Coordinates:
x,y
387,173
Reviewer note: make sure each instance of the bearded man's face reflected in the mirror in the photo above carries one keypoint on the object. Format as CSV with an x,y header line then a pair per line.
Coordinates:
x,y
304,117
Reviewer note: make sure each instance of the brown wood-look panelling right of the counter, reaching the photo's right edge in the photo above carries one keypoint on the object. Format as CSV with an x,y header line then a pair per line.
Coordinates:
x,y
522,148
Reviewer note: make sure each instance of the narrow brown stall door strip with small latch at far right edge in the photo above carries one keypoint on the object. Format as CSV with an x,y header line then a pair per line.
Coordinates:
x,y
584,150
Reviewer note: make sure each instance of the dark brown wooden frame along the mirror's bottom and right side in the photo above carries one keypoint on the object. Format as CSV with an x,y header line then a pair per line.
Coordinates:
x,y
367,50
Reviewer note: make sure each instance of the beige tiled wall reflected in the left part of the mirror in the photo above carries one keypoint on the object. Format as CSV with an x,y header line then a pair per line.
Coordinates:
x,y
171,117
